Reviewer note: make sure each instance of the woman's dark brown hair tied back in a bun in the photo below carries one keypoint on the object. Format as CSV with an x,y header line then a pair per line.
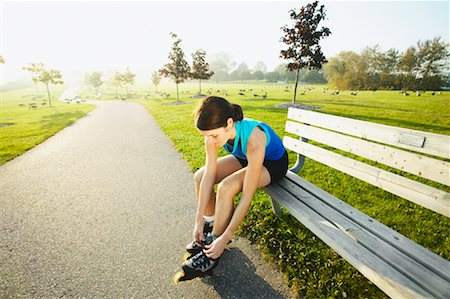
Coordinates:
x,y
213,112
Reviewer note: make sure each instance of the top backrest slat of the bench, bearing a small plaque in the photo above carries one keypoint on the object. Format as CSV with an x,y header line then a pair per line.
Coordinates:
x,y
419,141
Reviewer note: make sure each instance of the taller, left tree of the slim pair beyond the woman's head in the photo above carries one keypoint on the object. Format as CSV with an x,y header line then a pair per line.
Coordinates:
x,y
177,69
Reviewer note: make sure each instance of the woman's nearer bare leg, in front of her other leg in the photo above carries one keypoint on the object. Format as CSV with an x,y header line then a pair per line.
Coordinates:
x,y
227,189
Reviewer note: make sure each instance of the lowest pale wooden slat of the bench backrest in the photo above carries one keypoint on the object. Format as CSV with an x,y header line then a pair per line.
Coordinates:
x,y
424,195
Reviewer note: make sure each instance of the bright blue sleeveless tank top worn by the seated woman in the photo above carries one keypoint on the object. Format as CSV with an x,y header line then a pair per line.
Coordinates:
x,y
274,146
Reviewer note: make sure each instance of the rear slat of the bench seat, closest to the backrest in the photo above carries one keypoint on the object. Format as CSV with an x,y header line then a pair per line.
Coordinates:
x,y
433,261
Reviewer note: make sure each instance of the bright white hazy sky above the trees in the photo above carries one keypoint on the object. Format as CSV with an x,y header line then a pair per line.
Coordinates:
x,y
80,36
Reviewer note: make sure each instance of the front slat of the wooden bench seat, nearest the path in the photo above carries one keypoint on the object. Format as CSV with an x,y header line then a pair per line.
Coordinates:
x,y
390,280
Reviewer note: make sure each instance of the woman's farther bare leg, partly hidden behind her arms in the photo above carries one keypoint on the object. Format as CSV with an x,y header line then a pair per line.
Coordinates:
x,y
225,166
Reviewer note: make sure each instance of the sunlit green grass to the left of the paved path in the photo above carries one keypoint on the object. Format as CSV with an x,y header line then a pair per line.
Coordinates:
x,y
22,128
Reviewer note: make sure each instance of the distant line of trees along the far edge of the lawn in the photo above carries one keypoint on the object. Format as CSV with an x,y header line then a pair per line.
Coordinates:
x,y
421,67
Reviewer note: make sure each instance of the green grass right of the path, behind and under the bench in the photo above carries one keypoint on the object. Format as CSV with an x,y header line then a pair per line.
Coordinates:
x,y
311,267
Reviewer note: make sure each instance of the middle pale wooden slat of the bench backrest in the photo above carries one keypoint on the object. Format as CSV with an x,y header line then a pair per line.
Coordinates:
x,y
422,166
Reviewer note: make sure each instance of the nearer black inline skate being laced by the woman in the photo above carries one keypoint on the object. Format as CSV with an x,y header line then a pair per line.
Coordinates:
x,y
198,266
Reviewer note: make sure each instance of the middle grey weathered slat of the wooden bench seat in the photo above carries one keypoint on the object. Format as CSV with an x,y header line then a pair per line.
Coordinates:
x,y
385,248
